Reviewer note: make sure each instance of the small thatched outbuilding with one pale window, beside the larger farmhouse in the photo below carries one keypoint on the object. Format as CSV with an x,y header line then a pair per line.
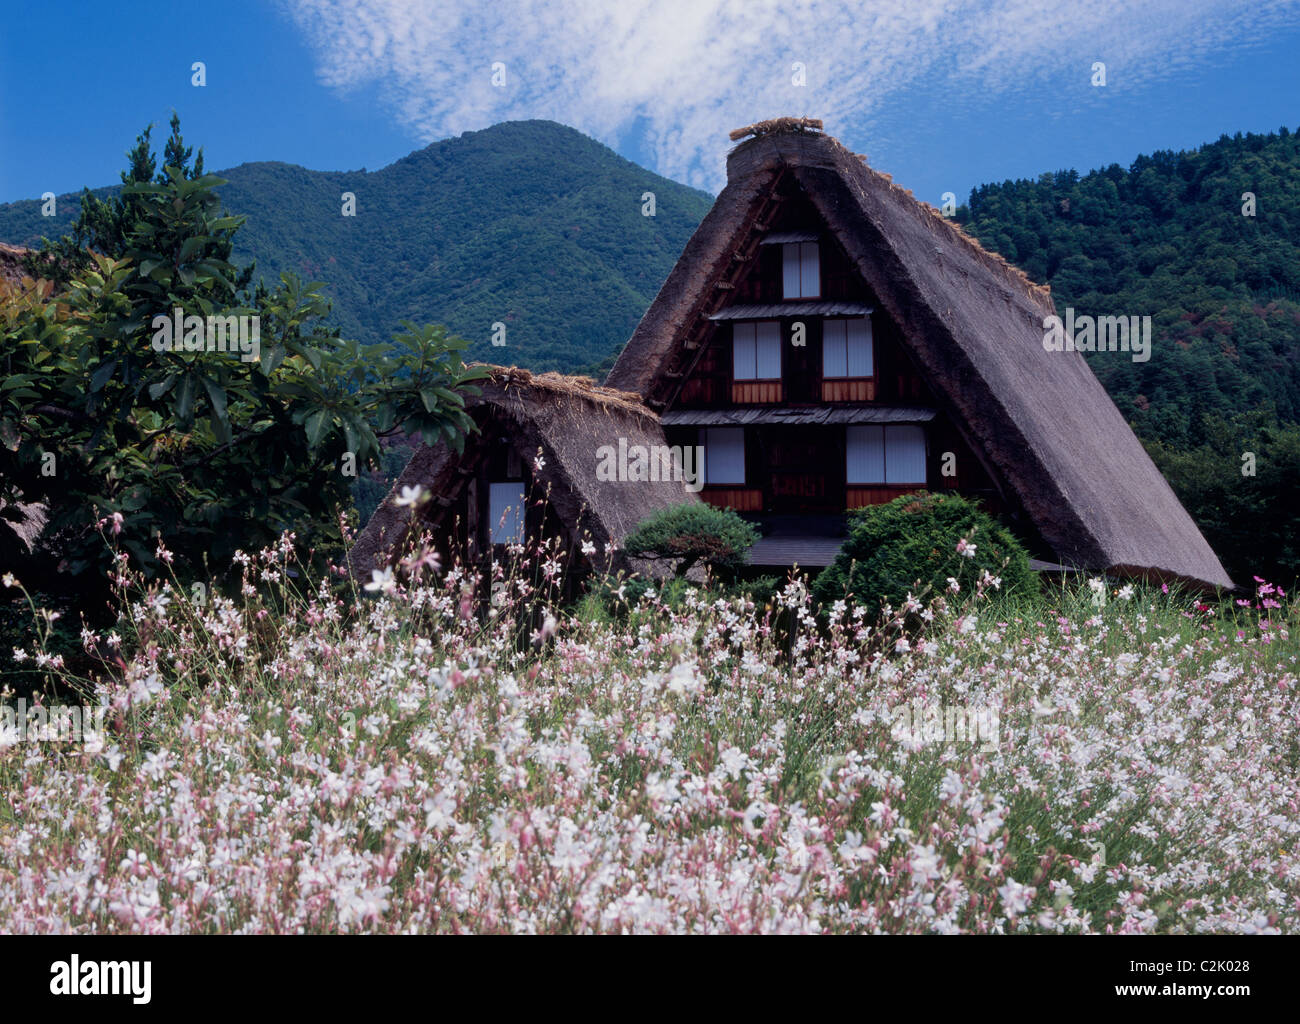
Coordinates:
x,y
539,467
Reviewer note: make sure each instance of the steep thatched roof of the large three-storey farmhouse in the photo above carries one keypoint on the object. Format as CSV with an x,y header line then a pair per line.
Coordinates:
x,y
974,326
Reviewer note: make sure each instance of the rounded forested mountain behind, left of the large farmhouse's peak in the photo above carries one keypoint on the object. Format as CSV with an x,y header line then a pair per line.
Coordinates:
x,y
528,223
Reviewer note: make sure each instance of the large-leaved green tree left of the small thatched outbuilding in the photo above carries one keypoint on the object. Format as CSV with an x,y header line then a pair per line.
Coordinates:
x,y
198,452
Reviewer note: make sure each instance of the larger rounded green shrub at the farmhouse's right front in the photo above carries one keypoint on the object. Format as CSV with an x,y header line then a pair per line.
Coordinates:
x,y
915,539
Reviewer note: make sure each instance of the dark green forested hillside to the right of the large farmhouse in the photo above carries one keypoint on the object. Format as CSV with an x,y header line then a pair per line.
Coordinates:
x,y
1168,238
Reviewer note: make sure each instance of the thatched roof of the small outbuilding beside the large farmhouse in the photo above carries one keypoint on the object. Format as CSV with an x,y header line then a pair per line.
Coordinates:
x,y
569,420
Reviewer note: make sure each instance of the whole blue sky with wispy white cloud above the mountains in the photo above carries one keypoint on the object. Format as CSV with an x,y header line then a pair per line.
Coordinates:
x,y
942,94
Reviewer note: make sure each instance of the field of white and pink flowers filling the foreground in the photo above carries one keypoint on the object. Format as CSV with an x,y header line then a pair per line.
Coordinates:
x,y
397,762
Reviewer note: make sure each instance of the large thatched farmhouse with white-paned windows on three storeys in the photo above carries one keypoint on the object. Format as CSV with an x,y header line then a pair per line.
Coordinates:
x,y
834,342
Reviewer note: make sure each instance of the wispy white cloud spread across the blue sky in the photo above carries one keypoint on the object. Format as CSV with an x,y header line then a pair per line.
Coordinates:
x,y
684,72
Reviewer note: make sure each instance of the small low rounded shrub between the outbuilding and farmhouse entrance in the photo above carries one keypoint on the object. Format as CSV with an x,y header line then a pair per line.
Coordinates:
x,y
695,535
